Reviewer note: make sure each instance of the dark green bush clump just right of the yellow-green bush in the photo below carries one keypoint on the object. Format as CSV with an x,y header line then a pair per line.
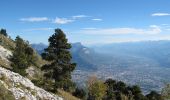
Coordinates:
x,y
120,91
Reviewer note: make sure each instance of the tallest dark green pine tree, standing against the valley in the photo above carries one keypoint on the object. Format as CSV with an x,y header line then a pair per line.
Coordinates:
x,y
61,66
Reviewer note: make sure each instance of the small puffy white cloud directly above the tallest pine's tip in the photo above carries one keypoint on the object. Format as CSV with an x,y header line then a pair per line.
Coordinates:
x,y
63,20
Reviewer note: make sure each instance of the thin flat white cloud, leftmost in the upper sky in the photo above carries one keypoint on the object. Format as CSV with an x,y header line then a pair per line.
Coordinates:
x,y
34,19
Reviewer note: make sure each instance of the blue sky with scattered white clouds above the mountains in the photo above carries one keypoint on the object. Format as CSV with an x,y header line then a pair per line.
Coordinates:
x,y
87,21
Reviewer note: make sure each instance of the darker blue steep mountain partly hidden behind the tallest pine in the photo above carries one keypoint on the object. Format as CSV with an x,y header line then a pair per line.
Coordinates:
x,y
83,56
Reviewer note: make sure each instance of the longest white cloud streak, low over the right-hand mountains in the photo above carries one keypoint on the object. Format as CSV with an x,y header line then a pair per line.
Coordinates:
x,y
153,29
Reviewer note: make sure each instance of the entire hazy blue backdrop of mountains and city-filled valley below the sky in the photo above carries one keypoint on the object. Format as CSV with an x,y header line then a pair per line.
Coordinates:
x,y
144,63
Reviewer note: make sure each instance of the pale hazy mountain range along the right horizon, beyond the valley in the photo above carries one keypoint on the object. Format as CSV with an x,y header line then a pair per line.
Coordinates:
x,y
159,51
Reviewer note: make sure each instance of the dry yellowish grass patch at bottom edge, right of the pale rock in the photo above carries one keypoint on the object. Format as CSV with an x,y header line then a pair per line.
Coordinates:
x,y
66,95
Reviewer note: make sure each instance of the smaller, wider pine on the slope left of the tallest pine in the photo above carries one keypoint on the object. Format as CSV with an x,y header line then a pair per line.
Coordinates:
x,y
22,56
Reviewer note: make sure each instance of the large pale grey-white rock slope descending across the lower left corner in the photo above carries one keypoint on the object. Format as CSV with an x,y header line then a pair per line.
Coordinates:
x,y
23,88
